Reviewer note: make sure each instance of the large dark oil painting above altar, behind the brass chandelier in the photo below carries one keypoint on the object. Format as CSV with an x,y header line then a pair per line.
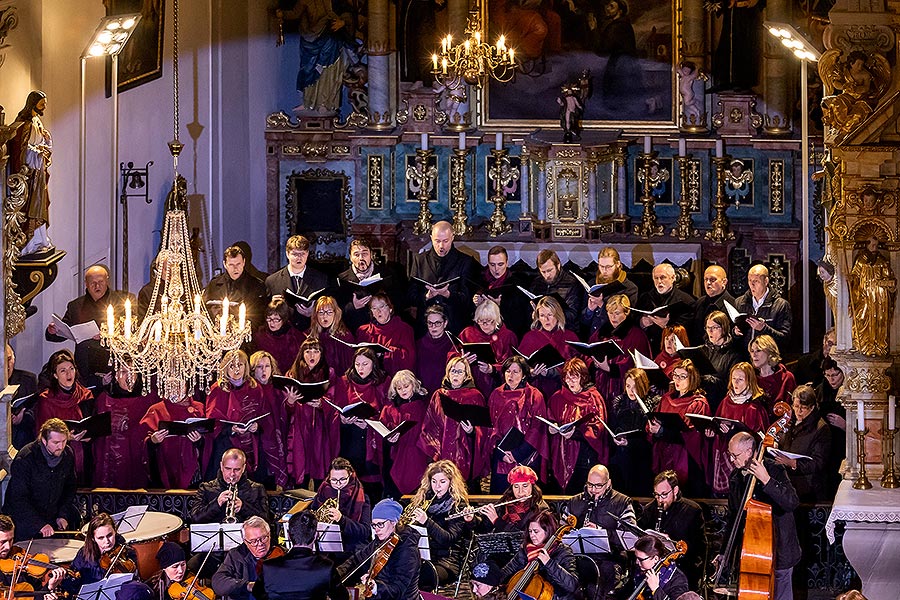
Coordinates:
x,y
627,46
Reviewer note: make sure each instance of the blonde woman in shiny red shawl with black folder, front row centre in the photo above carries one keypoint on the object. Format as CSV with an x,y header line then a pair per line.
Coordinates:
x,y
459,441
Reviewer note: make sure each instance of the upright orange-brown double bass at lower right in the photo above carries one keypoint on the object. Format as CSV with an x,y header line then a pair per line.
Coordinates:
x,y
756,577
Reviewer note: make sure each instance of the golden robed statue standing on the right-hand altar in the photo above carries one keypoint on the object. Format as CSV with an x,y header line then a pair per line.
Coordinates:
x,y
873,291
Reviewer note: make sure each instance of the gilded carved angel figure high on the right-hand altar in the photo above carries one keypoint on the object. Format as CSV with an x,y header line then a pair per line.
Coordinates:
x,y
861,78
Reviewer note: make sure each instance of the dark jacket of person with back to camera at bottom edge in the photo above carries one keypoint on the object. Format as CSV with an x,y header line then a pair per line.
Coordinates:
x,y
299,575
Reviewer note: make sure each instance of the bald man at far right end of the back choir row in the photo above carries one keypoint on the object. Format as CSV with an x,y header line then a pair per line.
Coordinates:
x,y
770,315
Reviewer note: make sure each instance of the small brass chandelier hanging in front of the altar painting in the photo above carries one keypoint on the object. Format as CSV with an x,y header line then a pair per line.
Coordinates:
x,y
473,60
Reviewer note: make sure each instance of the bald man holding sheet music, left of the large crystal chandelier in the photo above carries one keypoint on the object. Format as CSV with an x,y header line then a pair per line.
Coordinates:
x,y
91,358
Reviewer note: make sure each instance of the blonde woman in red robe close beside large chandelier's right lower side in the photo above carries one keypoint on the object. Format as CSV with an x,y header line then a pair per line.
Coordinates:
x,y
235,396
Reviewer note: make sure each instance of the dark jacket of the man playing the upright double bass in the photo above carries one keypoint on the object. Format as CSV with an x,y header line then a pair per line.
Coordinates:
x,y
780,494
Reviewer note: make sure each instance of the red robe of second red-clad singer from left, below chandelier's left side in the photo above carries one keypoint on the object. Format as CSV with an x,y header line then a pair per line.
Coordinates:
x,y
126,445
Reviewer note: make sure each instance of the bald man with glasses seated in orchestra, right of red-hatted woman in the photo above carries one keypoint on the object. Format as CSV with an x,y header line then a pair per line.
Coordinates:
x,y
594,508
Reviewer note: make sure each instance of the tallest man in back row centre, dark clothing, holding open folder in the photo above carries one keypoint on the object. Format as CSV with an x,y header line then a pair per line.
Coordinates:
x,y
440,263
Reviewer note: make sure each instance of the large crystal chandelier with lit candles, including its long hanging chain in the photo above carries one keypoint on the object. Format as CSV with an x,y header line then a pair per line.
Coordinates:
x,y
178,343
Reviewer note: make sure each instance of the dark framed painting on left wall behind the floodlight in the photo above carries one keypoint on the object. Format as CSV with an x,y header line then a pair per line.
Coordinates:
x,y
141,59
